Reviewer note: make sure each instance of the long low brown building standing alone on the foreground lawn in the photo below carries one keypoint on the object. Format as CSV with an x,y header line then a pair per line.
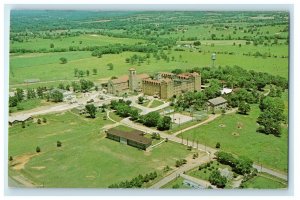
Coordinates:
x,y
133,138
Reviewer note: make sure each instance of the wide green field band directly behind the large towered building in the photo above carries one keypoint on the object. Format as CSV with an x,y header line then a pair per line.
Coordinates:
x,y
29,66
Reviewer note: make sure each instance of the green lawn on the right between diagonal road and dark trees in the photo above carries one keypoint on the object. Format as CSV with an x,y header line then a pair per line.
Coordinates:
x,y
269,150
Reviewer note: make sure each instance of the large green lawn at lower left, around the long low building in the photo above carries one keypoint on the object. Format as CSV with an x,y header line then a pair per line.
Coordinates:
x,y
86,158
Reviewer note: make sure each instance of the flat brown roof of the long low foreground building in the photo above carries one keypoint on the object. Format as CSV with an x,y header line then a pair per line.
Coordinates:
x,y
134,135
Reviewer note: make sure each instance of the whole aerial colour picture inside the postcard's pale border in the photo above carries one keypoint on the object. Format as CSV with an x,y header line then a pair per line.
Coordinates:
x,y
148,99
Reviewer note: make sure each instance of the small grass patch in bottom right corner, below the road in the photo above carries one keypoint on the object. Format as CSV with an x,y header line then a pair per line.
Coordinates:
x,y
265,181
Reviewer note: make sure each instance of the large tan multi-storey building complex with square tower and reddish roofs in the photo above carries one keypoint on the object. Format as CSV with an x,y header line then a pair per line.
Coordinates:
x,y
163,85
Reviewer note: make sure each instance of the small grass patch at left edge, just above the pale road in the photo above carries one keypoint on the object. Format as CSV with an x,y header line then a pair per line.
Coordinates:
x,y
29,104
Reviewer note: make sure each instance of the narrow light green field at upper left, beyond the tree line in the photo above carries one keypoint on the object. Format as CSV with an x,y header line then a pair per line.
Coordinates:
x,y
66,42
